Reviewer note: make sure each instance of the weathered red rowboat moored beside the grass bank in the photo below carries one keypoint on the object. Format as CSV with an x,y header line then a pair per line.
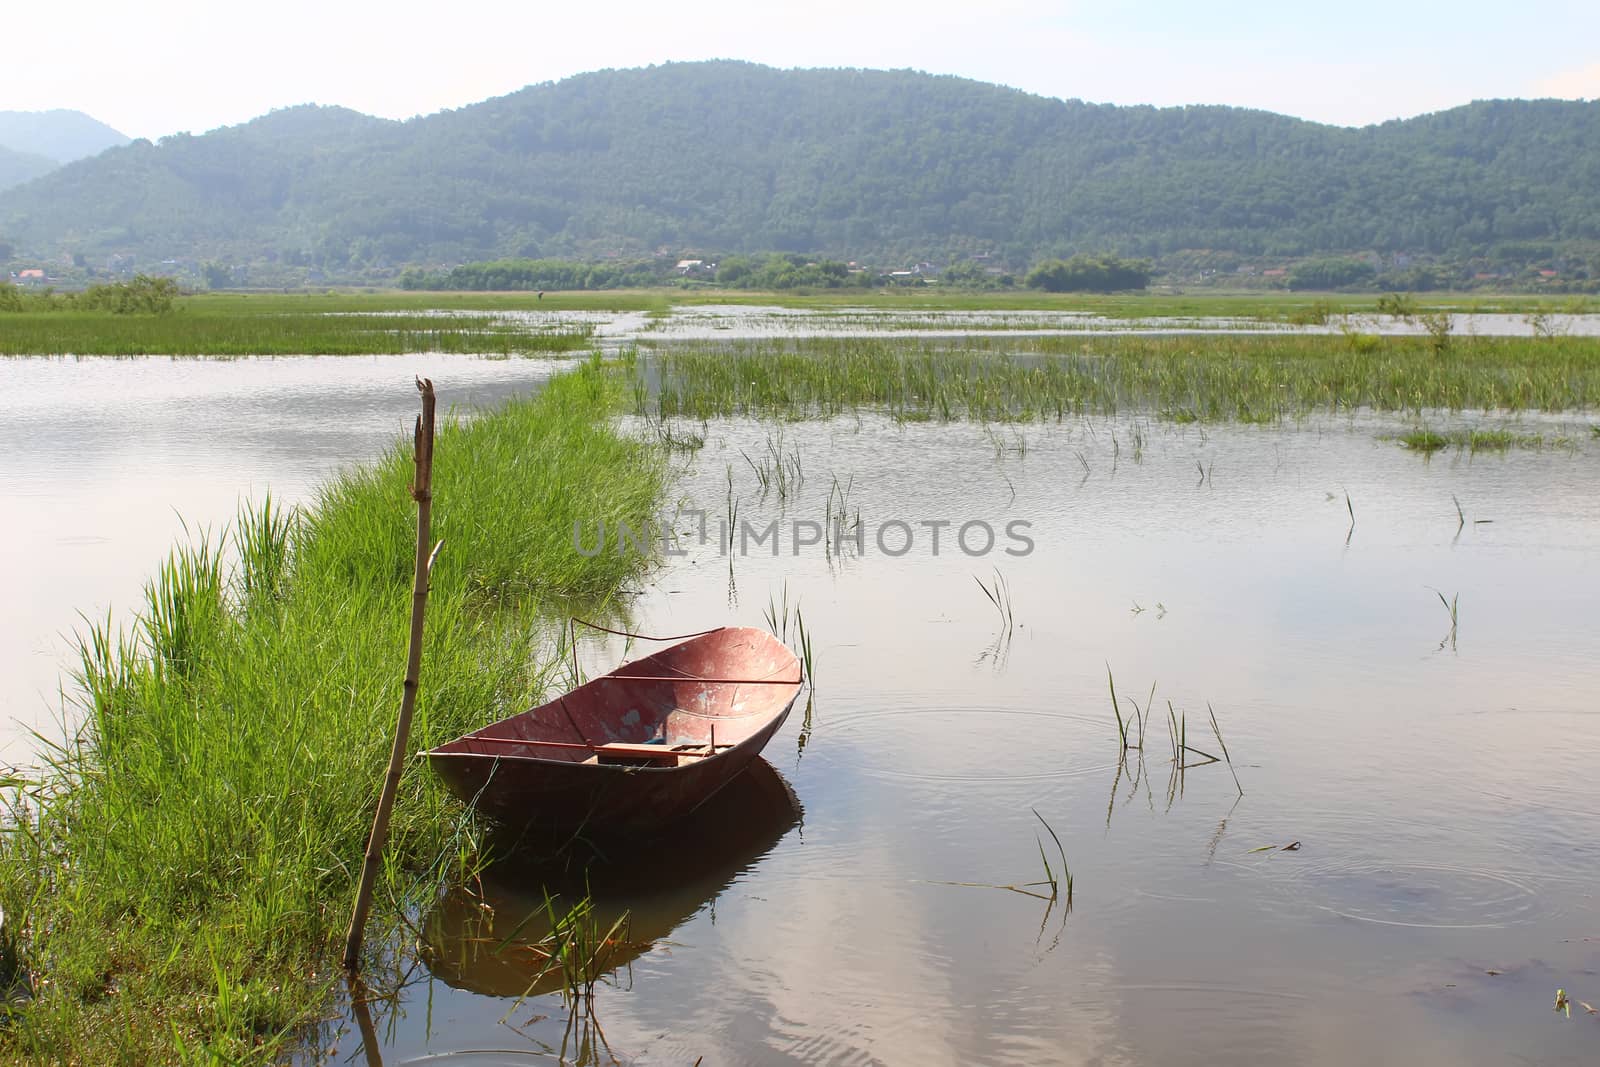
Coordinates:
x,y
634,749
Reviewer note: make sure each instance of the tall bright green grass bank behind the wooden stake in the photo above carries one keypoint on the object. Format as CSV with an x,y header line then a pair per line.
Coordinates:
x,y
178,877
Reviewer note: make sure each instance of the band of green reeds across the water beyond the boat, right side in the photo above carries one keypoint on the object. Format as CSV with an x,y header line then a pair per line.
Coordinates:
x,y
1185,378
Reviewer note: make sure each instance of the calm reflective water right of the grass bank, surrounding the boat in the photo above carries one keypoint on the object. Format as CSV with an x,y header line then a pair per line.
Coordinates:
x,y
1439,781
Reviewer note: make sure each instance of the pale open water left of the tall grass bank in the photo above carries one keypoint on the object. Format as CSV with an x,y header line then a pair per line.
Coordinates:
x,y
105,463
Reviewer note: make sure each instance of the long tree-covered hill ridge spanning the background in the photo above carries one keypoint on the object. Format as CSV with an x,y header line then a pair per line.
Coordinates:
x,y
852,164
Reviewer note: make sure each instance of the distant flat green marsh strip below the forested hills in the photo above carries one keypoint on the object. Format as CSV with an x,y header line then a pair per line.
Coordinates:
x,y
386,322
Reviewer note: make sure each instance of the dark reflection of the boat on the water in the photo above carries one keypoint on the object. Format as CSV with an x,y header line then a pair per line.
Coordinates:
x,y
494,943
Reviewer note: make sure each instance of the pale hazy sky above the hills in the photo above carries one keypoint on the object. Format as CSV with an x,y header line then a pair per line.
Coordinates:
x,y
164,66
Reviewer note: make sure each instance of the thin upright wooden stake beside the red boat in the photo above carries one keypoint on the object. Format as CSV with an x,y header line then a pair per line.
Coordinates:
x,y
423,494
